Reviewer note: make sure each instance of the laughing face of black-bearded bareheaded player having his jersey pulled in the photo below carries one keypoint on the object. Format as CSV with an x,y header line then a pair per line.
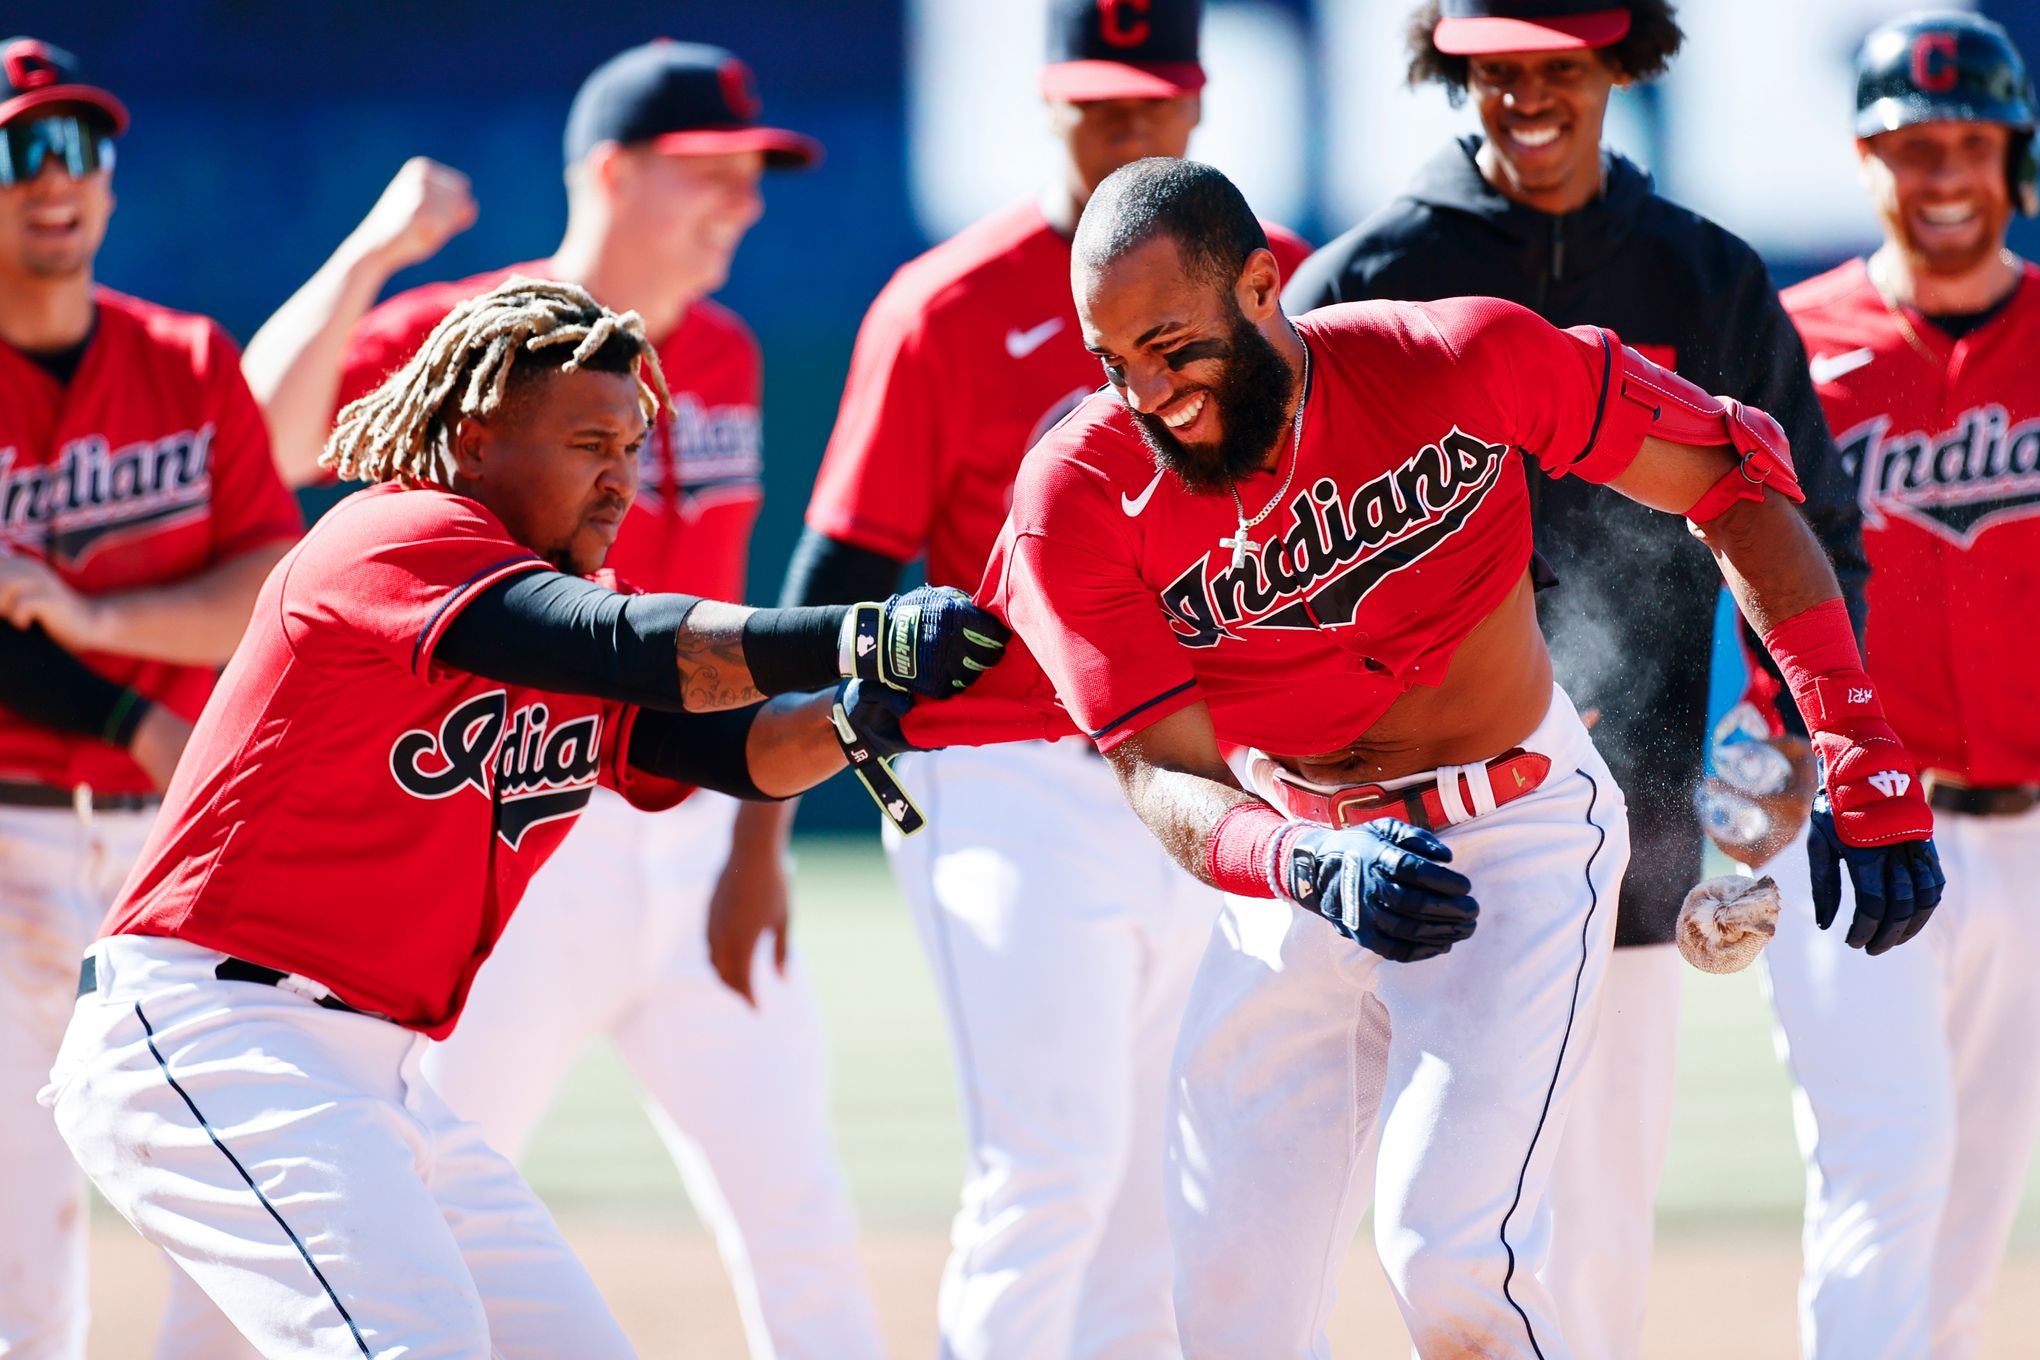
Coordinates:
x,y
1192,360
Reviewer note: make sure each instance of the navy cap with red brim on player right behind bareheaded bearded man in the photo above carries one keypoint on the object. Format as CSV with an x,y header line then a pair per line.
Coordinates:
x,y
1123,50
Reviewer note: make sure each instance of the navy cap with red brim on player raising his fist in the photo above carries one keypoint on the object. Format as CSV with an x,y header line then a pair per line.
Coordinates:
x,y
682,99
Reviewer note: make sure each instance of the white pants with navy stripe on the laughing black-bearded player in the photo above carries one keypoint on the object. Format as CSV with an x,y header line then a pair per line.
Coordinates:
x,y
1315,1078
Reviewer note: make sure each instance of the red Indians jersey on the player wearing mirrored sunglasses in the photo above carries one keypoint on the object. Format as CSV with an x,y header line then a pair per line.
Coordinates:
x,y
148,468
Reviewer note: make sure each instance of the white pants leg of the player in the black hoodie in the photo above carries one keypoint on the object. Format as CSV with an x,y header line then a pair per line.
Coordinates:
x,y
1613,1155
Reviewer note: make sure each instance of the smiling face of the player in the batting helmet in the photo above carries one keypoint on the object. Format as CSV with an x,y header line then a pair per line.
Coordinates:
x,y
1941,193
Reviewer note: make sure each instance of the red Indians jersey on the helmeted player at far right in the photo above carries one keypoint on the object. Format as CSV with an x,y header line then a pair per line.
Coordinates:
x,y
1947,448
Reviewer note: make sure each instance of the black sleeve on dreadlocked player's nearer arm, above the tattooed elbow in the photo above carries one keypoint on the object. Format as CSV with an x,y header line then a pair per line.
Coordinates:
x,y
550,631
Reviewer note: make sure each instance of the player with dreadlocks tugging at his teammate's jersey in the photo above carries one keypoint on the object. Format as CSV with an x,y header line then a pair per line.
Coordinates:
x,y
427,698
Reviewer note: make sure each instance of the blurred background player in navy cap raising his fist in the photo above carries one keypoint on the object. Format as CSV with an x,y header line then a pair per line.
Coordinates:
x,y
664,176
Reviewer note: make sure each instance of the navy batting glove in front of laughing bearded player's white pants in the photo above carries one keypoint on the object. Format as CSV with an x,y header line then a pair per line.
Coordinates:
x,y
1384,884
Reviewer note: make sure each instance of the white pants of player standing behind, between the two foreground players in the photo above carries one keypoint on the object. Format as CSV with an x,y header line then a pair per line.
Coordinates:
x,y
1064,941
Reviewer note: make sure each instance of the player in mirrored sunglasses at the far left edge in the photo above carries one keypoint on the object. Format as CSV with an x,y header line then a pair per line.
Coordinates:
x,y
138,519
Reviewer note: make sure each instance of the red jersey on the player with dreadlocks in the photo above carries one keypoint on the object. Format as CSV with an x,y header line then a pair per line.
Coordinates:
x,y
354,810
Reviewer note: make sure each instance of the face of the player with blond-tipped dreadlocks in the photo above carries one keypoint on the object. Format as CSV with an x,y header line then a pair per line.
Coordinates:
x,y
558,462
